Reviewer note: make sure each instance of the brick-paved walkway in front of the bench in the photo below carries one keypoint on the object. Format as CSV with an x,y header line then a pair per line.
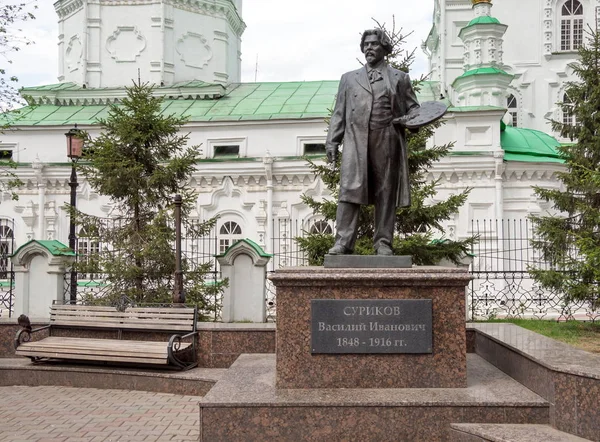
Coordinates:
x,y
36,414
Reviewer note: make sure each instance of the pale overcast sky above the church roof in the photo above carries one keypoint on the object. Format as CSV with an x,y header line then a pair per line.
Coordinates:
x,y
294,40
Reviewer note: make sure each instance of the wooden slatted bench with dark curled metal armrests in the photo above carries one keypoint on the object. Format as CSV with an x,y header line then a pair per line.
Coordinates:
x,y
172,352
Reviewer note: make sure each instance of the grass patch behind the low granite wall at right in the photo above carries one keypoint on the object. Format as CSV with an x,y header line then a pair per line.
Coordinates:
x,y
584,335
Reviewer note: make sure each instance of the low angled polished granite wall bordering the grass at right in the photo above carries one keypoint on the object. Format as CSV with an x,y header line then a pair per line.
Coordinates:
x,y
568,378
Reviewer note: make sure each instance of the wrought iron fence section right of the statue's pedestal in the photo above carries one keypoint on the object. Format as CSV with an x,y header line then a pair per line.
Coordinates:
x,y
502,285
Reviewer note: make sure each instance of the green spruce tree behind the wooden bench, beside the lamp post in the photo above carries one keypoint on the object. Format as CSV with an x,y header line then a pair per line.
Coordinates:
x,y
141,160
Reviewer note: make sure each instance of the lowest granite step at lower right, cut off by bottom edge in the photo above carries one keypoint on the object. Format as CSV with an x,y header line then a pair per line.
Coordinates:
x,y
509,433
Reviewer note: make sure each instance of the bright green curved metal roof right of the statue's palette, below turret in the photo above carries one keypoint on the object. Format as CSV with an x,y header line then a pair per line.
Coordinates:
x,y
529,145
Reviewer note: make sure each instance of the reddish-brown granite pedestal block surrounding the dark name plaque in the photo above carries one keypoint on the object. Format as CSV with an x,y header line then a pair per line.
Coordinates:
x,y
298,367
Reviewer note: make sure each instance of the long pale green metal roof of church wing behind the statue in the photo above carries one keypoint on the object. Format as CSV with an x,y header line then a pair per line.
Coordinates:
x,y
241,102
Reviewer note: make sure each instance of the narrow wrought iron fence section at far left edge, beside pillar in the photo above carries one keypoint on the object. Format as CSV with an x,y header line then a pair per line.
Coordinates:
x,y
7,274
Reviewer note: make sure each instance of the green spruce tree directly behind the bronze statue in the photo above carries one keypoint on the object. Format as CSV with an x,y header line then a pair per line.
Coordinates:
x,y
419,228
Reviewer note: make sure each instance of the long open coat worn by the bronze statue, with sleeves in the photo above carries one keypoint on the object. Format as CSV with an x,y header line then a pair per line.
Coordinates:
x,y
350,124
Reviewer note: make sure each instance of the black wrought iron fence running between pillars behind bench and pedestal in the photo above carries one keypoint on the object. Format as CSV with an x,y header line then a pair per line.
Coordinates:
x,y
501,285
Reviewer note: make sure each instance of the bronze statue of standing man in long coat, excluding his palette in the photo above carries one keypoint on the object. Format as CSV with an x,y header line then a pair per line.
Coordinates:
x,y
375,162
